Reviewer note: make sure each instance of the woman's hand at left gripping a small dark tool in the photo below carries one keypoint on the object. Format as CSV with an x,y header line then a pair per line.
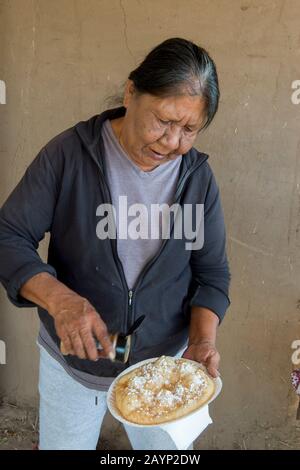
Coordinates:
x,y
78,324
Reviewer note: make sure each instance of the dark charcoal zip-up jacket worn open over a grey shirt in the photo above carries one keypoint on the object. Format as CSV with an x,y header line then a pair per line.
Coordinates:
x,y
60,193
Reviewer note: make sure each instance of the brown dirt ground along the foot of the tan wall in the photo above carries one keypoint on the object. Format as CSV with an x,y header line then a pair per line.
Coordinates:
x,y
19,430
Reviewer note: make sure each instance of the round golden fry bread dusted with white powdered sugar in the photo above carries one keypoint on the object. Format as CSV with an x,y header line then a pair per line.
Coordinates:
x,y
163,390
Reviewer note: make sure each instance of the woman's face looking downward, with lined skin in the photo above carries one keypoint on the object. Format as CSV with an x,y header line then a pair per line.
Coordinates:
x,y
157,130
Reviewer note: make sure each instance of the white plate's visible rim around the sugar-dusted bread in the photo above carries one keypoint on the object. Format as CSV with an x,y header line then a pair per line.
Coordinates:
x,y
111,401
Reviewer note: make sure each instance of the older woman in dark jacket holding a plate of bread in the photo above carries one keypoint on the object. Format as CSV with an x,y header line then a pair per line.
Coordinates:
x,y
97,282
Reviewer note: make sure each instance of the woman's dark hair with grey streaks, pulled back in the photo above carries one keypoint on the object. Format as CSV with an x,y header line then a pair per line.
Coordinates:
x,y
178,66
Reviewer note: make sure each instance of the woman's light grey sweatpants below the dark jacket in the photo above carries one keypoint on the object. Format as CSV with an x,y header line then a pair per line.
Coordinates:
x,y
70,418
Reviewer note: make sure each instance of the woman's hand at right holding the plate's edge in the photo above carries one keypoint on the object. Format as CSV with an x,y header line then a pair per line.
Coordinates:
x,y
206,353
